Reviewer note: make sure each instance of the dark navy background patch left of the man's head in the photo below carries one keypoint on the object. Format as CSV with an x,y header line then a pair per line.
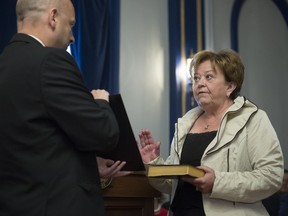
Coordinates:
x,y
7,22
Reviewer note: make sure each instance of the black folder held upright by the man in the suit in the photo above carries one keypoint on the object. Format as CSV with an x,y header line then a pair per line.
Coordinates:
x,y
127,149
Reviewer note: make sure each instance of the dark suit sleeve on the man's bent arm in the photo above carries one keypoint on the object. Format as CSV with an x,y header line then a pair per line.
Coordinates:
x,y
90,124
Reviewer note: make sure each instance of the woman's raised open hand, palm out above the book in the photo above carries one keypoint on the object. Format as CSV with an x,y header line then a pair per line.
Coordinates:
x,y
149,149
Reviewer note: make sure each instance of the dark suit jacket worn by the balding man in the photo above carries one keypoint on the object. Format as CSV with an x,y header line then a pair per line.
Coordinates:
x,y
50,129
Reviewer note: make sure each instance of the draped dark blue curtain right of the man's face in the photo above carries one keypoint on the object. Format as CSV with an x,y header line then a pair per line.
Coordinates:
x,y
96,47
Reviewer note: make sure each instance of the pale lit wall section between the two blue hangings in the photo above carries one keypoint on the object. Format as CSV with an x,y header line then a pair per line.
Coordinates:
x,y
144,58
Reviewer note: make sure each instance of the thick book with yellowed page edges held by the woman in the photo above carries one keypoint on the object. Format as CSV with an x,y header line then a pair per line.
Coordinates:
x,y
174,171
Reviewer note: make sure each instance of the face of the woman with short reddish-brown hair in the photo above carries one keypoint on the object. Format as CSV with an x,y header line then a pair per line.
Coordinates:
x,y
210,87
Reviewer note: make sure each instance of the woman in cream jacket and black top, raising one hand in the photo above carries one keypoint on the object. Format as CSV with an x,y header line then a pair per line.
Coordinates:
x,y
228,137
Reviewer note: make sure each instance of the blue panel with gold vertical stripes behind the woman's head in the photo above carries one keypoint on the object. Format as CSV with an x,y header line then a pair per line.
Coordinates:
x,y
186,36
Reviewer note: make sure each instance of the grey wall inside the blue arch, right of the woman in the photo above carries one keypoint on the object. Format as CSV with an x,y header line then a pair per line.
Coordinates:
x,y
263,43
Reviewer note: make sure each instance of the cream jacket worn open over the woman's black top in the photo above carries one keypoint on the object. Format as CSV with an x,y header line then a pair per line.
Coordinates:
x,y
245,155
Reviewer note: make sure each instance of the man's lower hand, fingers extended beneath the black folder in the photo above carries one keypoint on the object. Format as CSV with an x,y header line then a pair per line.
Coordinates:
x,y
108,168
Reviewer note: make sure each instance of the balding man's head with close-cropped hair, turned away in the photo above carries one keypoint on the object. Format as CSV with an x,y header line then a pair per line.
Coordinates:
x,y
49,20
